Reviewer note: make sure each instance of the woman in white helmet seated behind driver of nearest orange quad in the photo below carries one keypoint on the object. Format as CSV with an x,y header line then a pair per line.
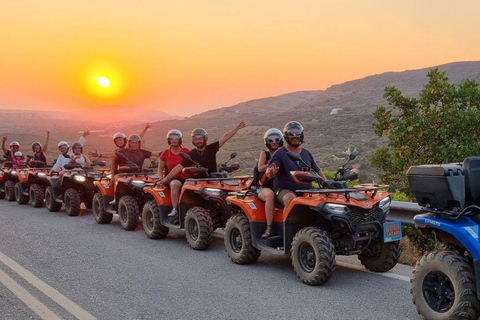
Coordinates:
x,y
273,139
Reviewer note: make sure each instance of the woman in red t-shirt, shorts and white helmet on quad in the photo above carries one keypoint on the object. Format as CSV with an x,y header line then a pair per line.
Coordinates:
x,y
170,158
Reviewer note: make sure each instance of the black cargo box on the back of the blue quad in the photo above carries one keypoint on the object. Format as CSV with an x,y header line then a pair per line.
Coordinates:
x,y
442,186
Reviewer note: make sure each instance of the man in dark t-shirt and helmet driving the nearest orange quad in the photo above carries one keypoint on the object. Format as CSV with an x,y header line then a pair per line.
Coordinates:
x,y
280,165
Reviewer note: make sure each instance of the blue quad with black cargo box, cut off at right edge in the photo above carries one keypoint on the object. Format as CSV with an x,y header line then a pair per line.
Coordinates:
x,y
445,283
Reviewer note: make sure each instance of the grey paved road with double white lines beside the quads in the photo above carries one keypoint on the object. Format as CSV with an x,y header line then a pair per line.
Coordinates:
x,y
71,267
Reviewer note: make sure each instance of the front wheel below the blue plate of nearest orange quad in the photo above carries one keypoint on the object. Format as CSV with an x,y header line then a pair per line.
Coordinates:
x,y
380,256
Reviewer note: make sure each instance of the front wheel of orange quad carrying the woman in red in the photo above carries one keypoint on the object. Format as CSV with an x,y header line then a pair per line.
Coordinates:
x,y
198,228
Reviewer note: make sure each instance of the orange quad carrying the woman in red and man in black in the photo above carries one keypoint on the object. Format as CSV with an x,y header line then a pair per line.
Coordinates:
x,y
202,206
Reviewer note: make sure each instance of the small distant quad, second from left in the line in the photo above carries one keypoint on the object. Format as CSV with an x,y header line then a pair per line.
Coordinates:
x,y
32,183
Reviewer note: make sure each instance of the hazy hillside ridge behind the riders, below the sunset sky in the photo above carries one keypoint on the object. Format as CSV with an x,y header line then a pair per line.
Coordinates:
x,y
336,120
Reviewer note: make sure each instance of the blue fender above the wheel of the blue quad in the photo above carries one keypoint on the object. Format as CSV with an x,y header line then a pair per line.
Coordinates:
x,y
464,230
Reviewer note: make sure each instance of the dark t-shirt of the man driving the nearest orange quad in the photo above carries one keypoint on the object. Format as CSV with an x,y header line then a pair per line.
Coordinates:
x,y
283,179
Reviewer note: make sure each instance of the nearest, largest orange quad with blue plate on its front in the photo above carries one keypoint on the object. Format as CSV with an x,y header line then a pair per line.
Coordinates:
x,y
317,225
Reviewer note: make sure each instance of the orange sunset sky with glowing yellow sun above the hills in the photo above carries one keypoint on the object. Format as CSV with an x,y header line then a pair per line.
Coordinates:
x,y
187,56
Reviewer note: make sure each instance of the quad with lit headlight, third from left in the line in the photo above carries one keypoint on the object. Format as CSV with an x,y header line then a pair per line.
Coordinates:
x,y
74,186
